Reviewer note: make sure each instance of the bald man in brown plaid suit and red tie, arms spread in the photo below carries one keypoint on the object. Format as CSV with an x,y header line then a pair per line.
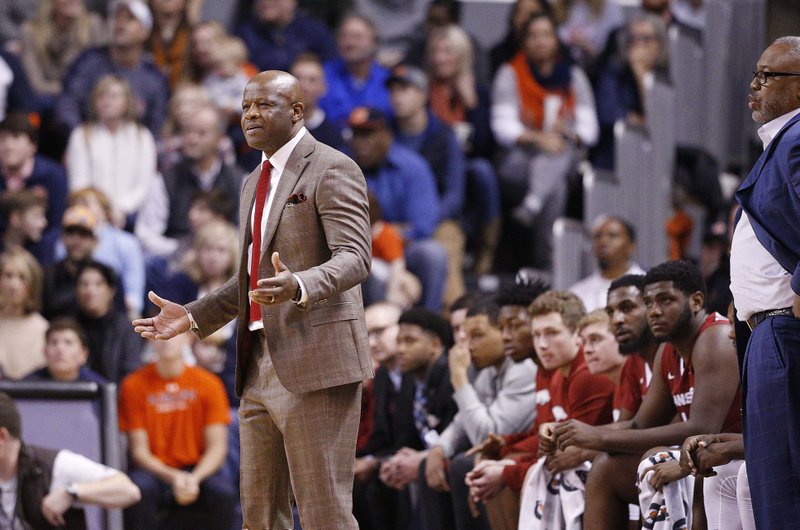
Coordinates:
x,y
302,347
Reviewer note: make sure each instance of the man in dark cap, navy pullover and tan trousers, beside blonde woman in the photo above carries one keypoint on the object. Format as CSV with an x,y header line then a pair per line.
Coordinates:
x,y
418,129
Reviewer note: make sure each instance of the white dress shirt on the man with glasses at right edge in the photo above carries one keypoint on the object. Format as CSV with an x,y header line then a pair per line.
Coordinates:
x,y
758,281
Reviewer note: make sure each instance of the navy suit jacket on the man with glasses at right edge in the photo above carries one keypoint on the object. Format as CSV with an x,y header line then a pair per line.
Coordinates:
x,y
771,197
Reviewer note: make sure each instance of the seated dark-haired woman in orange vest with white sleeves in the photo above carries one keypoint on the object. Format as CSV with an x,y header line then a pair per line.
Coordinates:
x,y
543,114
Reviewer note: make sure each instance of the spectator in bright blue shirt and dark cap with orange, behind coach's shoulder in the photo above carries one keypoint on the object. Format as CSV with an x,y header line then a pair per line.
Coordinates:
x,y
405,188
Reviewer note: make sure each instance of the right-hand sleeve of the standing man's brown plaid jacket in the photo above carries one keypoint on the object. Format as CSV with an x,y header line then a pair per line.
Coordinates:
x,y
341,200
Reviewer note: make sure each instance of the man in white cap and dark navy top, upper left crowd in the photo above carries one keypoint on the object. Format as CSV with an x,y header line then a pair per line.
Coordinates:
x,y
130,25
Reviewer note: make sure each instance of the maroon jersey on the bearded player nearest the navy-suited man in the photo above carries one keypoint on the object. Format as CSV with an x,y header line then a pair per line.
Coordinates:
x,y
679,376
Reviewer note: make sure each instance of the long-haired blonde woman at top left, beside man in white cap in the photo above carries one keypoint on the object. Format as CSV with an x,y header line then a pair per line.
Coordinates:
x,y
61,30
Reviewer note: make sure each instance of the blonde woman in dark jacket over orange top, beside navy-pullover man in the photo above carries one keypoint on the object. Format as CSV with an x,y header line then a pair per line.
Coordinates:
x,y
459,101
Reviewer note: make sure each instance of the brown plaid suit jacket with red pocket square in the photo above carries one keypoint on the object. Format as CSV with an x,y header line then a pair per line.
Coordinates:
x,y
325,240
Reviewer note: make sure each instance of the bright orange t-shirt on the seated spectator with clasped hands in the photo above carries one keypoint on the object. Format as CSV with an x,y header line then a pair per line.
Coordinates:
x,y
174,412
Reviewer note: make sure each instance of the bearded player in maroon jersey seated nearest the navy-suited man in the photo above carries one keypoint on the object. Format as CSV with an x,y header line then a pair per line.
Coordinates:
x,y
695,377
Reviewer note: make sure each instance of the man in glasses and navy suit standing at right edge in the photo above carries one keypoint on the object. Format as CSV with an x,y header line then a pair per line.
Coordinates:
x,y
765,282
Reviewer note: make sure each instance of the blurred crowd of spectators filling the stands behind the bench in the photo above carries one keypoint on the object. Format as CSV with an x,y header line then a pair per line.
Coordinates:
x,y
122,157
